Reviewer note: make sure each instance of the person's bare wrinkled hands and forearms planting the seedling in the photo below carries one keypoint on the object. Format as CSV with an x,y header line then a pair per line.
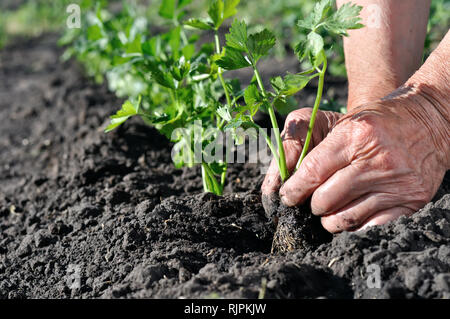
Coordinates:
x,y
386,157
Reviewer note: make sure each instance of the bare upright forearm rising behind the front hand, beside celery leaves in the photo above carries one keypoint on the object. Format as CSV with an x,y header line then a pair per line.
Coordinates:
x,y
381,56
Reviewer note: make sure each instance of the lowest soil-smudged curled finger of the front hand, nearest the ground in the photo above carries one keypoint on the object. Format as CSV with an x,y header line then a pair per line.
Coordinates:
x,y
355,214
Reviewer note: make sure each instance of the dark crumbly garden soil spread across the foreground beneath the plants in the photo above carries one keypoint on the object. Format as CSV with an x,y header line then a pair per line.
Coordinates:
x,y
94,215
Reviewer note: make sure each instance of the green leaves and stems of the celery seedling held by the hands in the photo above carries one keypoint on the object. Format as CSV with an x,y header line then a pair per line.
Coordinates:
x,y
243,50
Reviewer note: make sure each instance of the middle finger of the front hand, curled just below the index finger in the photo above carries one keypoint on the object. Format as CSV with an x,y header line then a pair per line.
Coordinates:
x,y
340,189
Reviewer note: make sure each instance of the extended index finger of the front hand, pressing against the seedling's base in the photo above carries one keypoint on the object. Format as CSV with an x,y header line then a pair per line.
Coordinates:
x,y
321,163
